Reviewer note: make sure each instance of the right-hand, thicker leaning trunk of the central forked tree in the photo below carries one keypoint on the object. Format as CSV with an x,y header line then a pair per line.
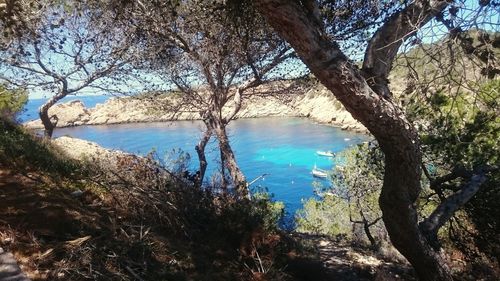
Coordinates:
x,y
237,176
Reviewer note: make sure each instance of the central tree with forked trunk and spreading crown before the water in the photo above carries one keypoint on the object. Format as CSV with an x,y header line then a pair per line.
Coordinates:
x,y
216,61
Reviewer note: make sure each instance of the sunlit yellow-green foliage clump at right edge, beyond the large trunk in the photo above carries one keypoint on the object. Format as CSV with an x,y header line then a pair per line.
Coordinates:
x,y
463,129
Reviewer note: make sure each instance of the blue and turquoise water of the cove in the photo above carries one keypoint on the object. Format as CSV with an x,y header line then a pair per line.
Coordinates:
x,y
283,148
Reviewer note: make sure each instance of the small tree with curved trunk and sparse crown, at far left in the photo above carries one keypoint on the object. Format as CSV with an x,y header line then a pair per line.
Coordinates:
x,y
69,49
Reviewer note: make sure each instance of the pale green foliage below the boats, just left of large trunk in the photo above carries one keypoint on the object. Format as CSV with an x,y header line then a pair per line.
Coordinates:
x,y
356,181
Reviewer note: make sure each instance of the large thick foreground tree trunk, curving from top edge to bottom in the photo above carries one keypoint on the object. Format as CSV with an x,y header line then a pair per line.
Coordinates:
x,y
384,119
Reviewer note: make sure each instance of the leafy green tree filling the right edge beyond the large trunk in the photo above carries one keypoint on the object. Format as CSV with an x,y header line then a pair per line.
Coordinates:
x,y
459,126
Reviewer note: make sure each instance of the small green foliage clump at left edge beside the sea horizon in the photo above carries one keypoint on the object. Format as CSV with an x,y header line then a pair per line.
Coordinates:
x,y
11,101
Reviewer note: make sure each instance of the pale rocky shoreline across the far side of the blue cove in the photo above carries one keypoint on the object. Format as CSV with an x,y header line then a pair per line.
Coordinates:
x,y
317,104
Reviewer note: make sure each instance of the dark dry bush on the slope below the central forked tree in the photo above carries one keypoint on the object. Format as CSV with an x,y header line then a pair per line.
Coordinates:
x,y
215,234
